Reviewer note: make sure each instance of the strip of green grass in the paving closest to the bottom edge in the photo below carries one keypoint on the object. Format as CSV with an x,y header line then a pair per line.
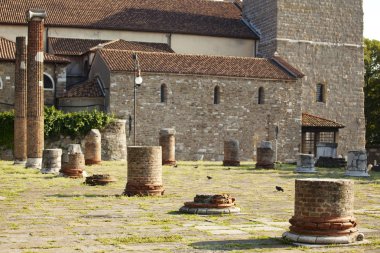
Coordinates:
x,y
138,239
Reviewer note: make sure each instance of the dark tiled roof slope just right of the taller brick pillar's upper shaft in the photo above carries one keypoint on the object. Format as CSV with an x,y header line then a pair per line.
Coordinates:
x,y
65,46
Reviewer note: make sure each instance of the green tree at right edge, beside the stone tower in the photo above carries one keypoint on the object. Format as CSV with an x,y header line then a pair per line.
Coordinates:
x,y
372,90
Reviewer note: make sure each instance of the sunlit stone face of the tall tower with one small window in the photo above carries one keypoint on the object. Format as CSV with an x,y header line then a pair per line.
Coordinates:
x,y
323,39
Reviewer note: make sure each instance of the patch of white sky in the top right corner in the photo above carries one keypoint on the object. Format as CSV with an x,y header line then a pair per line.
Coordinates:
x,y
372,19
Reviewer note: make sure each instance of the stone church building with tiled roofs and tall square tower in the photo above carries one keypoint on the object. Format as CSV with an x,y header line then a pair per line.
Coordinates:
x,y
213,70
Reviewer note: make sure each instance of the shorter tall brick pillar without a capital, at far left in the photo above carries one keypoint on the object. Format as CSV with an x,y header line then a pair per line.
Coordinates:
x,y
19,151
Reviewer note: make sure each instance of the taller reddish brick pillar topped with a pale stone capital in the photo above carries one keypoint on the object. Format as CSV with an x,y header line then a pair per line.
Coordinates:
x,y
35,111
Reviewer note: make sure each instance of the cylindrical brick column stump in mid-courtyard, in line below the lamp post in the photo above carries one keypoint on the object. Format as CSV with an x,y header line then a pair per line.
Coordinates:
x,y
144,171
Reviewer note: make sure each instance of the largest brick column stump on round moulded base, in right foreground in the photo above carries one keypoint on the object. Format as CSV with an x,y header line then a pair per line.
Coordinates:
x,y
323,212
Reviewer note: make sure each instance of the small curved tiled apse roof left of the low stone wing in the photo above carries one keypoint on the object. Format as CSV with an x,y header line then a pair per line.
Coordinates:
x,y
89,88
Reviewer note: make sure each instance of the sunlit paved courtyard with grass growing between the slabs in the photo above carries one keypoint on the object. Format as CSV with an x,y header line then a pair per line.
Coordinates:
x,y
45,213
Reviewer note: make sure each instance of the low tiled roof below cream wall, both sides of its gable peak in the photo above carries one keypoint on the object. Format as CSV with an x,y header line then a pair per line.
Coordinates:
x,y
65,46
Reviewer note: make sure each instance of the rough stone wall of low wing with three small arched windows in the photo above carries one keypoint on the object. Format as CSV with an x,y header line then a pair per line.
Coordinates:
x,y
202,126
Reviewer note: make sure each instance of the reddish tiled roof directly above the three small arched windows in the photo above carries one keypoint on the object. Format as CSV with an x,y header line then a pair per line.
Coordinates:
x,y
195,64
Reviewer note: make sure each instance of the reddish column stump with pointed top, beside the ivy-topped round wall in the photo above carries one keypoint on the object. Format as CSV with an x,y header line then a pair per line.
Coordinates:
x,y
93,147
